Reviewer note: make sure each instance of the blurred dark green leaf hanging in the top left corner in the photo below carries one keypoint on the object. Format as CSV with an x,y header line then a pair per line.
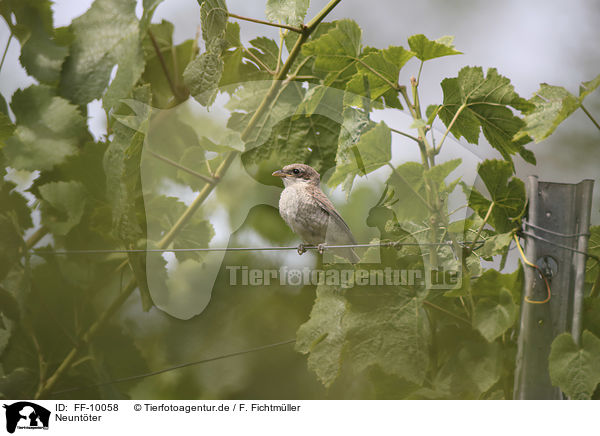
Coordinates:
x,y
41,54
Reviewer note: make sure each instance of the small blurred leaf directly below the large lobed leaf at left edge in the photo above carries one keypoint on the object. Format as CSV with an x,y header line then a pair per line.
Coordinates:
x,y
63,206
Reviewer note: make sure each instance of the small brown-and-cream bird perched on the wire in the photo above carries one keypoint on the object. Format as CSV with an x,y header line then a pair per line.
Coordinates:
x,y
310,214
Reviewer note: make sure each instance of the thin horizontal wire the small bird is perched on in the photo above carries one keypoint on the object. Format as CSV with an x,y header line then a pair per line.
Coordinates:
x,y
221,249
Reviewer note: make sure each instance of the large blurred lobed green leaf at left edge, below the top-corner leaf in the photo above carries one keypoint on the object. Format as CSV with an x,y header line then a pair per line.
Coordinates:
x,y
49,129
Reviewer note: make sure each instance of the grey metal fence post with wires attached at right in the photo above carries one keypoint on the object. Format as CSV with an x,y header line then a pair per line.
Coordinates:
x,y
560,214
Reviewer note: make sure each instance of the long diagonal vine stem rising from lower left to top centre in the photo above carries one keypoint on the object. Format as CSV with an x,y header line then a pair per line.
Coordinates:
x,y
67,362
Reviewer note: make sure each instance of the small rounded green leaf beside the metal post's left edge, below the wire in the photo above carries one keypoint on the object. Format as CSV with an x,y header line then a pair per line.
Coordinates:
x,y
493,316
